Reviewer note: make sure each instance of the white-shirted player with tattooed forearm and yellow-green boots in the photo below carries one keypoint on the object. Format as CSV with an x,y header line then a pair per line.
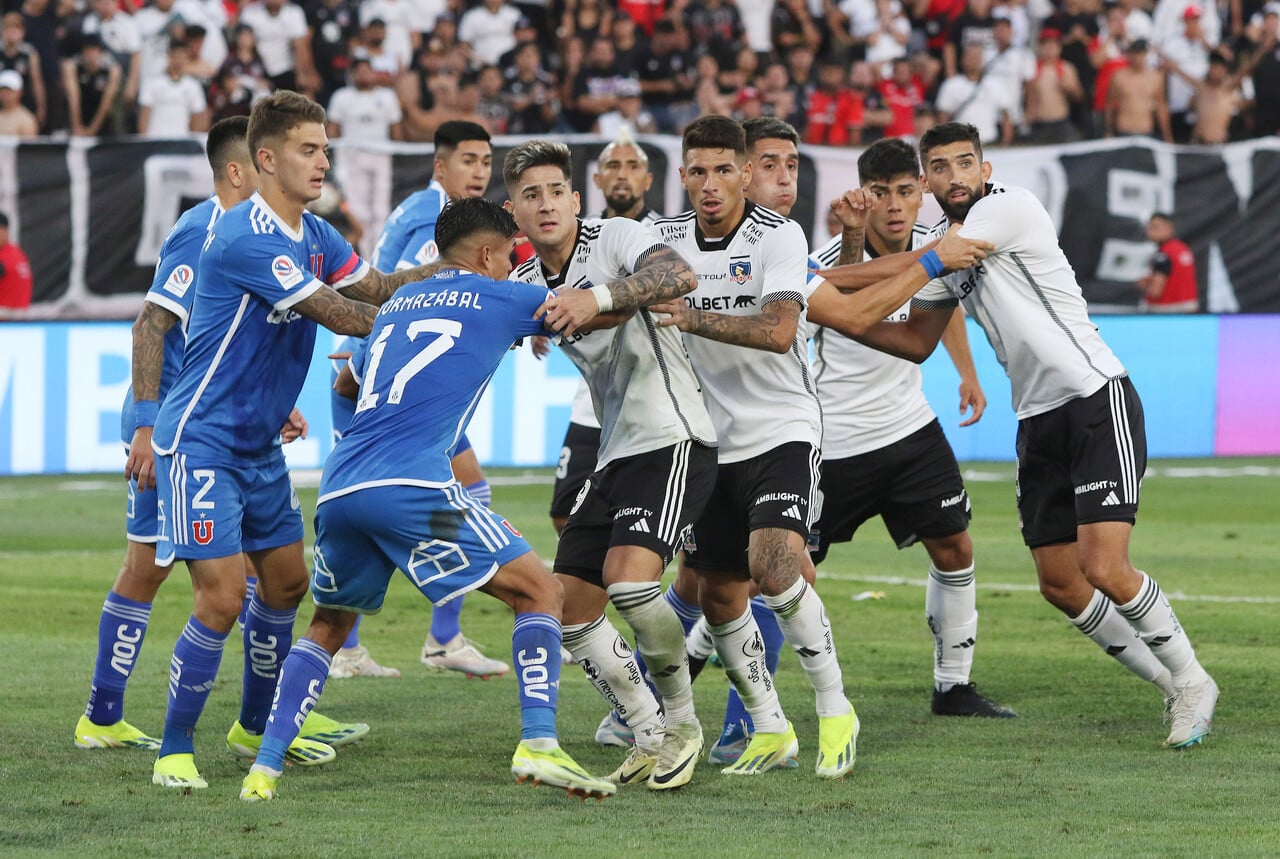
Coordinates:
x,y
744,340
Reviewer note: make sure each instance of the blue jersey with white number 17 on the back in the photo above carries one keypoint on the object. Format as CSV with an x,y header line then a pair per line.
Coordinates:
x,y
433,350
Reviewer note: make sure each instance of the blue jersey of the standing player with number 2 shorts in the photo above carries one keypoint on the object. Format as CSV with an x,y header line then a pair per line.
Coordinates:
x,y
248,353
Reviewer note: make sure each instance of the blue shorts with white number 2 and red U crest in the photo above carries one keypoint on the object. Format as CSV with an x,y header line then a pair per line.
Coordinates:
x,y
217,510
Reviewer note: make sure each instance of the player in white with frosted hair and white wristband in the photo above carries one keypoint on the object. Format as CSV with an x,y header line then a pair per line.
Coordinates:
x,y
657,460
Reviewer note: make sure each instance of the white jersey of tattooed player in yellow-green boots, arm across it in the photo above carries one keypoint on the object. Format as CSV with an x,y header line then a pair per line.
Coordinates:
x,y
758,400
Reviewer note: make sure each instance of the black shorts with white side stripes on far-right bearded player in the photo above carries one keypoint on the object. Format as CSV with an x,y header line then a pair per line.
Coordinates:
x,y
1081,464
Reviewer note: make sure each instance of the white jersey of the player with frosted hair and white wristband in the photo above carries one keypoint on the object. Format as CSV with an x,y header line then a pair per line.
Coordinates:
x,y
643,387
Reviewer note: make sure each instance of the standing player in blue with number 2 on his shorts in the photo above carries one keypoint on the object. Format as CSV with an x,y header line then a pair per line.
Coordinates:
x,y
269,272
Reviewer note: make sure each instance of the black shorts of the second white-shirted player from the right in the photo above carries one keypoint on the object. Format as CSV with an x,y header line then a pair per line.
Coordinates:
x,y
915,485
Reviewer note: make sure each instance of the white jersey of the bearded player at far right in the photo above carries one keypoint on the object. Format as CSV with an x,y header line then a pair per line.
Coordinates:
x,y
1028,303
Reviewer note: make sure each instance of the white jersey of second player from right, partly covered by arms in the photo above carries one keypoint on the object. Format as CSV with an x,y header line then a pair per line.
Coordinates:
x,y
870,399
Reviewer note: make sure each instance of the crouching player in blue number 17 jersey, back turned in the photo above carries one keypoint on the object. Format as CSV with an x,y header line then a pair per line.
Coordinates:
x,y
388,499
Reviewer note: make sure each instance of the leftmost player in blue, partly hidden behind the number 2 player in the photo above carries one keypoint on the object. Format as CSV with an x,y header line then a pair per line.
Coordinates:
x,y
159,339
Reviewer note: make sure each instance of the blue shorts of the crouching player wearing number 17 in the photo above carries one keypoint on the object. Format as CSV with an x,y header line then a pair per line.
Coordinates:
x,y
445,542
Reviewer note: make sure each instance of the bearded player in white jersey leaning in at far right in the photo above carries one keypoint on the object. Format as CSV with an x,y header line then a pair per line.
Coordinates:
x,y
1081,436
